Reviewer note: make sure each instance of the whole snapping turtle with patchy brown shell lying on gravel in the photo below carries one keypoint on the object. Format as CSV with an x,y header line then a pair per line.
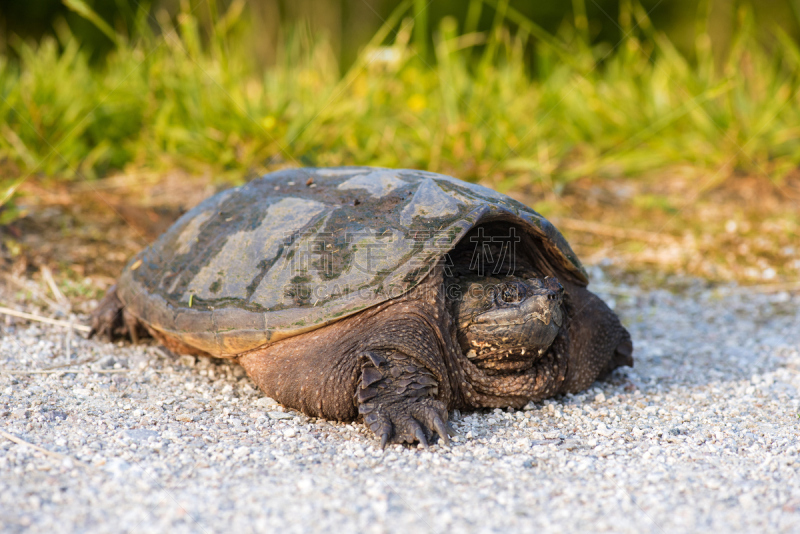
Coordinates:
x,y
392,296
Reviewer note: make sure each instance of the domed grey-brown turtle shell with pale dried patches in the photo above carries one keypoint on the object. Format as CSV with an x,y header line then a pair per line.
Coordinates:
x,y
298,249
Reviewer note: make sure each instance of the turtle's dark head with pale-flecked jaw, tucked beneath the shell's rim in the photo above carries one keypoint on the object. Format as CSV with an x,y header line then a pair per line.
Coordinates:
x,y
506,323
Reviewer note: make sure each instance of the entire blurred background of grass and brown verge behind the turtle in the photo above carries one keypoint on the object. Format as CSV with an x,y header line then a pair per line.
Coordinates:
x,y
657,132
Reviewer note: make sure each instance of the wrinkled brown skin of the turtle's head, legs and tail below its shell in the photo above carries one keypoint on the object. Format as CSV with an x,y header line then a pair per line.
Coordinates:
x,y
459,342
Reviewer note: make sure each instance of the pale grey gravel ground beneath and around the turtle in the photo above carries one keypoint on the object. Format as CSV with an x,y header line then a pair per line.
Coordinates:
x,y
702,435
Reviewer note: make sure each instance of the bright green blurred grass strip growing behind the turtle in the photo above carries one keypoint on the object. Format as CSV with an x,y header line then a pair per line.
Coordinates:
x,y
194,100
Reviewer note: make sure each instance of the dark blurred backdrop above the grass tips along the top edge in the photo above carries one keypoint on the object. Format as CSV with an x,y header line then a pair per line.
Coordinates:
x,y
349,24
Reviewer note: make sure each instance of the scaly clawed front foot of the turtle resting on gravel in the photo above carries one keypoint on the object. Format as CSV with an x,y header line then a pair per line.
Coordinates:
x,y
397,399
